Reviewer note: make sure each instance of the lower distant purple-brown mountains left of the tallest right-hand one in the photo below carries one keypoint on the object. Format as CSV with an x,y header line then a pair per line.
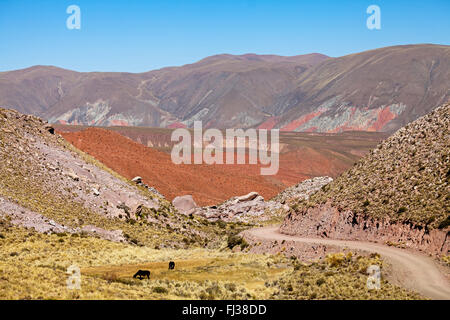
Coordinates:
x,y
215,88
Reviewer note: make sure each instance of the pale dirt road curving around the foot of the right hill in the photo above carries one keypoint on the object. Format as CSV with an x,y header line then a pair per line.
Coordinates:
x,y
414,270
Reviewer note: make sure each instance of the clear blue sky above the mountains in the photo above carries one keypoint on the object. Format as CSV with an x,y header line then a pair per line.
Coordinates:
x,y
137,36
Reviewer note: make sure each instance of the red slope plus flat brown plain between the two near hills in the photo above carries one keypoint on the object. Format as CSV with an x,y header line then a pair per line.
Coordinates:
x,y
302,156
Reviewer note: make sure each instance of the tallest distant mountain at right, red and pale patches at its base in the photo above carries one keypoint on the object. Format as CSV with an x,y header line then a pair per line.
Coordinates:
x,y
375,90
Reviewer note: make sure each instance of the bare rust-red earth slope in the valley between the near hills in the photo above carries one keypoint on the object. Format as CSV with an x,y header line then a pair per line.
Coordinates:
x,y
208,184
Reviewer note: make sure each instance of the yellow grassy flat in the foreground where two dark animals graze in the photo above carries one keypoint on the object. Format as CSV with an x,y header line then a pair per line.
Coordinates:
x,y
33,266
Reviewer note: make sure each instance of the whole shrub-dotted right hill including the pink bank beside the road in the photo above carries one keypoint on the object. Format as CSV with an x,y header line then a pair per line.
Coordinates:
x,y
399,193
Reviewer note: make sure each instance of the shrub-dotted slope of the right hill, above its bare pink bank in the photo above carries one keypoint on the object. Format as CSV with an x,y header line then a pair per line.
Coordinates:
x,y
405,178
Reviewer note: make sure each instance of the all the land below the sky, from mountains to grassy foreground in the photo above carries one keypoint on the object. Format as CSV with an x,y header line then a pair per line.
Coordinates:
x,y
87,181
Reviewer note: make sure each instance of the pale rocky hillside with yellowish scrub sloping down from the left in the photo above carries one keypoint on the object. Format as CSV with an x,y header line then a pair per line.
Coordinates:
x,y
48,185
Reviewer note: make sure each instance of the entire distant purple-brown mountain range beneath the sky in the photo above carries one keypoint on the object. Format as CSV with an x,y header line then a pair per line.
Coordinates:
x,y
376,90
